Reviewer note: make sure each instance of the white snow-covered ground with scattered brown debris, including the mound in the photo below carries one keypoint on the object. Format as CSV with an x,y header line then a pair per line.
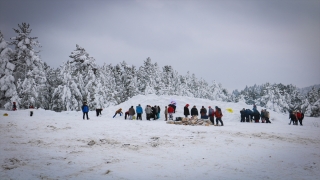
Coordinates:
x,y
52,145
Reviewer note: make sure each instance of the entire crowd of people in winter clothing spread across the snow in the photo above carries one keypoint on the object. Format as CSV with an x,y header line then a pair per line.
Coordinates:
x,y
153,112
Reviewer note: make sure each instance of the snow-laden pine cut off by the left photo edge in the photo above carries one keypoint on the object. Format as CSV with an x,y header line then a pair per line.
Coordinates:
x,y
8,93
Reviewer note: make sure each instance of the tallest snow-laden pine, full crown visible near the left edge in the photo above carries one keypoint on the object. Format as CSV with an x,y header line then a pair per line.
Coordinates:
x,y
28,64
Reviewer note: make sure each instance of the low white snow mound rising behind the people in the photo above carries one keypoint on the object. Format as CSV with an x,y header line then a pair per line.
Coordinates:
x,y
181,101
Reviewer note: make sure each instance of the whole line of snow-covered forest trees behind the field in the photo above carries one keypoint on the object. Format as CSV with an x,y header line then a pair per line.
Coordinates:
x,y
27,80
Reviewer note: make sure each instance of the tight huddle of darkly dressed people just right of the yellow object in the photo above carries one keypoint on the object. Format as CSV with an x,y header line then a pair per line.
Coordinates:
x,y
248,115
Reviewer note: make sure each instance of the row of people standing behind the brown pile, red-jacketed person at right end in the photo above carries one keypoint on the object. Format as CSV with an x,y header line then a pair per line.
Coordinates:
x,y
204,114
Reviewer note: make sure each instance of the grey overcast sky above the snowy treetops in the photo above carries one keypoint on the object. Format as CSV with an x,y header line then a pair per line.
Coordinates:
x,y
234,42
